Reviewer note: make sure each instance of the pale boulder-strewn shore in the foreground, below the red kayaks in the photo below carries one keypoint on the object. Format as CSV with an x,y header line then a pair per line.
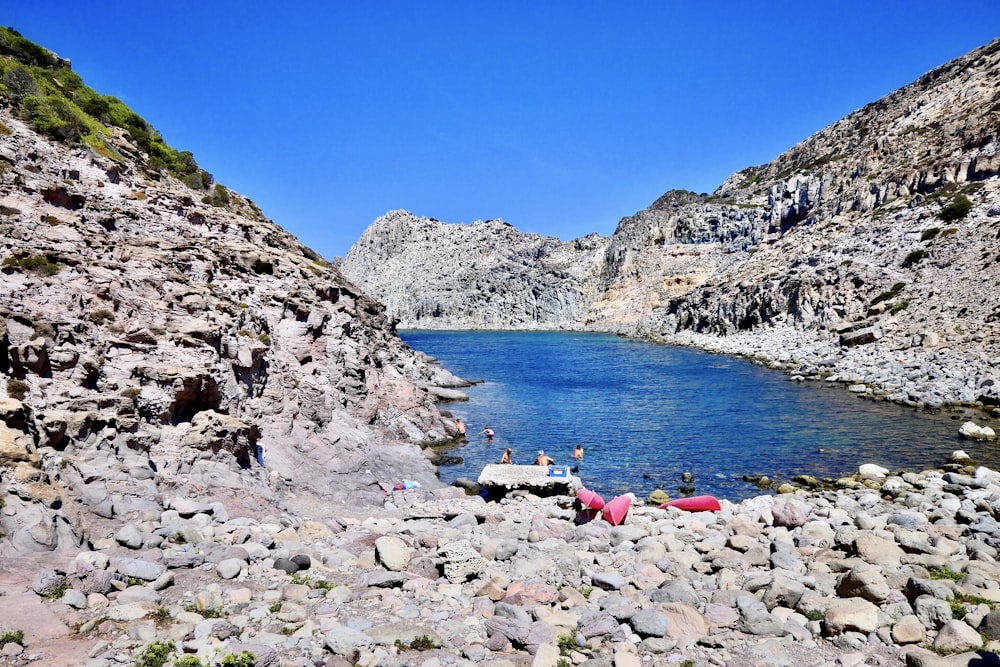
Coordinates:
x,y
900,570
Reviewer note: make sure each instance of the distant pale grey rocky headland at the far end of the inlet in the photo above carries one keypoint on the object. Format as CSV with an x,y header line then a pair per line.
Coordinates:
x,y
485,275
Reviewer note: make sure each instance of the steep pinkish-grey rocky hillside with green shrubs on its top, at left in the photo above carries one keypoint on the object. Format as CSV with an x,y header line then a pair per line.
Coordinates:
x,y
156,333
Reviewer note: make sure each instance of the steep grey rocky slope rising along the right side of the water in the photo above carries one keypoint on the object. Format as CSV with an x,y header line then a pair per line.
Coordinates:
x,y
880,244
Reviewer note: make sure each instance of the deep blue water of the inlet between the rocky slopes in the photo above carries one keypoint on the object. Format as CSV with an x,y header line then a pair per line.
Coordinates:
x,y
647,413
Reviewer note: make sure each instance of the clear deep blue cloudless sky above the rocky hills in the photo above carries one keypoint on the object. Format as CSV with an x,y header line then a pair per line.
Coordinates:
x,y
559,117
